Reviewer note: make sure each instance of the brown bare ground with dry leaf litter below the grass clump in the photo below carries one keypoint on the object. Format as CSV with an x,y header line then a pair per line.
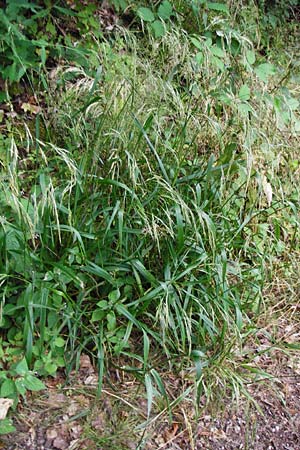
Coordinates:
x,y
72,417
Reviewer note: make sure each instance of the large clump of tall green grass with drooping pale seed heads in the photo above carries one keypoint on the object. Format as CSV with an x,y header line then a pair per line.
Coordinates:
x,y
144,222
